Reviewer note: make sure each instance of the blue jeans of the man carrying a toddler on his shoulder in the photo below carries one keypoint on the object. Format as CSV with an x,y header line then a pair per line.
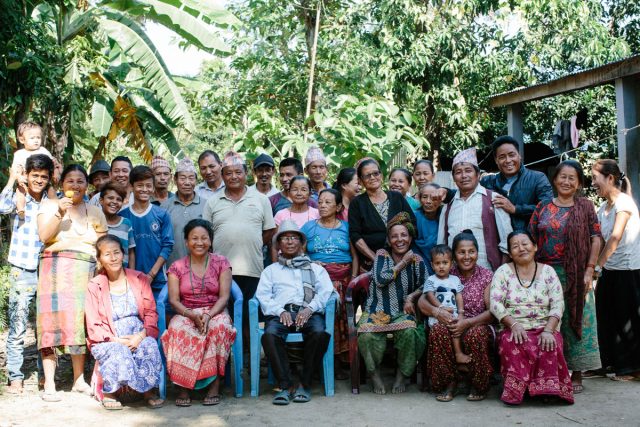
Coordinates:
x,y
23,285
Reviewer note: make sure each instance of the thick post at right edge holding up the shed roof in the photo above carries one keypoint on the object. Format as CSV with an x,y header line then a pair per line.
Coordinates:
x,y
628,115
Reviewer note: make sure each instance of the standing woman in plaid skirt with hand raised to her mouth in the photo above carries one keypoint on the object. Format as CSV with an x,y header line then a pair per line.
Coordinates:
x,y
69,228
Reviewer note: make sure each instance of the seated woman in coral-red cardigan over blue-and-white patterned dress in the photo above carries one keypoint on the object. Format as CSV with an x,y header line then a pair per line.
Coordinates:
x,y
122,327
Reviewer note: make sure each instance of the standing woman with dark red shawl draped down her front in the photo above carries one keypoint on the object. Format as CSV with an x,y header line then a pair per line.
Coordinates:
x,y
567,233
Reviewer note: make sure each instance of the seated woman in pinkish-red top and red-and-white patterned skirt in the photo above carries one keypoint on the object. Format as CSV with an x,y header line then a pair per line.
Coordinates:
x,y
199,338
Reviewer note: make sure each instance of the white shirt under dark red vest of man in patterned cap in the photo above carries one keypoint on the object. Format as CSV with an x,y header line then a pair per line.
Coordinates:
x,y
467,214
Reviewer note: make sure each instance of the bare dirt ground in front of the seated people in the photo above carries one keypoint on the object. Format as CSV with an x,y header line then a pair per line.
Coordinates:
x,y
603,403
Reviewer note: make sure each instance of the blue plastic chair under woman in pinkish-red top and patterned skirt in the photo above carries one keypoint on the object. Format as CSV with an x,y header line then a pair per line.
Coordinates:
x,y
236,296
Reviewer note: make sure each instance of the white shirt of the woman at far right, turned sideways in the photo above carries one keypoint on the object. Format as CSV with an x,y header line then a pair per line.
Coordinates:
x,y
626,255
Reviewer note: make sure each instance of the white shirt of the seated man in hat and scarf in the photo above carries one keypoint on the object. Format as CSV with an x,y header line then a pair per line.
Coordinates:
x,y
280,285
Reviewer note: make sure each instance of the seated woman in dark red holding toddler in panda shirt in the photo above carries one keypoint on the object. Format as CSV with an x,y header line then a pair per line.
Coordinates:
x,y
473,328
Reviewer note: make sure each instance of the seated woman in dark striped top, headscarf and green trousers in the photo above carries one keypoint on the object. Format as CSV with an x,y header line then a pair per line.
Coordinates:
x,y
396,283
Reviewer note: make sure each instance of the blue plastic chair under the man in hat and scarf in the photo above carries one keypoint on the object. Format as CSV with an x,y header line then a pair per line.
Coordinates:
x,y
256,333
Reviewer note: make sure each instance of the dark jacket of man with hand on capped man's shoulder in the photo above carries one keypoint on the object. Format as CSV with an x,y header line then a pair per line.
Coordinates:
x,y
529,188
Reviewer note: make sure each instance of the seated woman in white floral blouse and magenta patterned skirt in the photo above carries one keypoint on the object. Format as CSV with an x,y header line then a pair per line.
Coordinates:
x,y
527,299
